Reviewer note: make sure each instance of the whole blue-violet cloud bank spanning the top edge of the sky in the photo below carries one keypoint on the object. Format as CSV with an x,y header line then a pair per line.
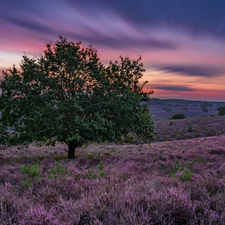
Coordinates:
x,y
115,23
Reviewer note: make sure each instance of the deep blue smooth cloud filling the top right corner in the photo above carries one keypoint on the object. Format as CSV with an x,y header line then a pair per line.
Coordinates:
x,y
202,17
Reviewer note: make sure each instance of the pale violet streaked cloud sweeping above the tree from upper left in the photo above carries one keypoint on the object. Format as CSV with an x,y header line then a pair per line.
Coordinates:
x,y
94,22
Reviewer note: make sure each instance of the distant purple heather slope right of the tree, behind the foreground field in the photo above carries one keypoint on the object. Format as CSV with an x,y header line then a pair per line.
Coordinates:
x,y
169,130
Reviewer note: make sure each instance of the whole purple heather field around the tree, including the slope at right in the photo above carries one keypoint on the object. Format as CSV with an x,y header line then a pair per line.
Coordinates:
x,y
177,179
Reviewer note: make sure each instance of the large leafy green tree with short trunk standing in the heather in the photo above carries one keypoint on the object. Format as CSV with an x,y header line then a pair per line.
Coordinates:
x,y
68,95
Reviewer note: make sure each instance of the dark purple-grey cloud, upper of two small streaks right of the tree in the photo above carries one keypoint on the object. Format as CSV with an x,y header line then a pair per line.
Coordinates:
x,y
191,70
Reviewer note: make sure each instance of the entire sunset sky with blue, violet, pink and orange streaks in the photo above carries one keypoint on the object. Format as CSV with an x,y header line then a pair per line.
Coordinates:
x,y
182,43
